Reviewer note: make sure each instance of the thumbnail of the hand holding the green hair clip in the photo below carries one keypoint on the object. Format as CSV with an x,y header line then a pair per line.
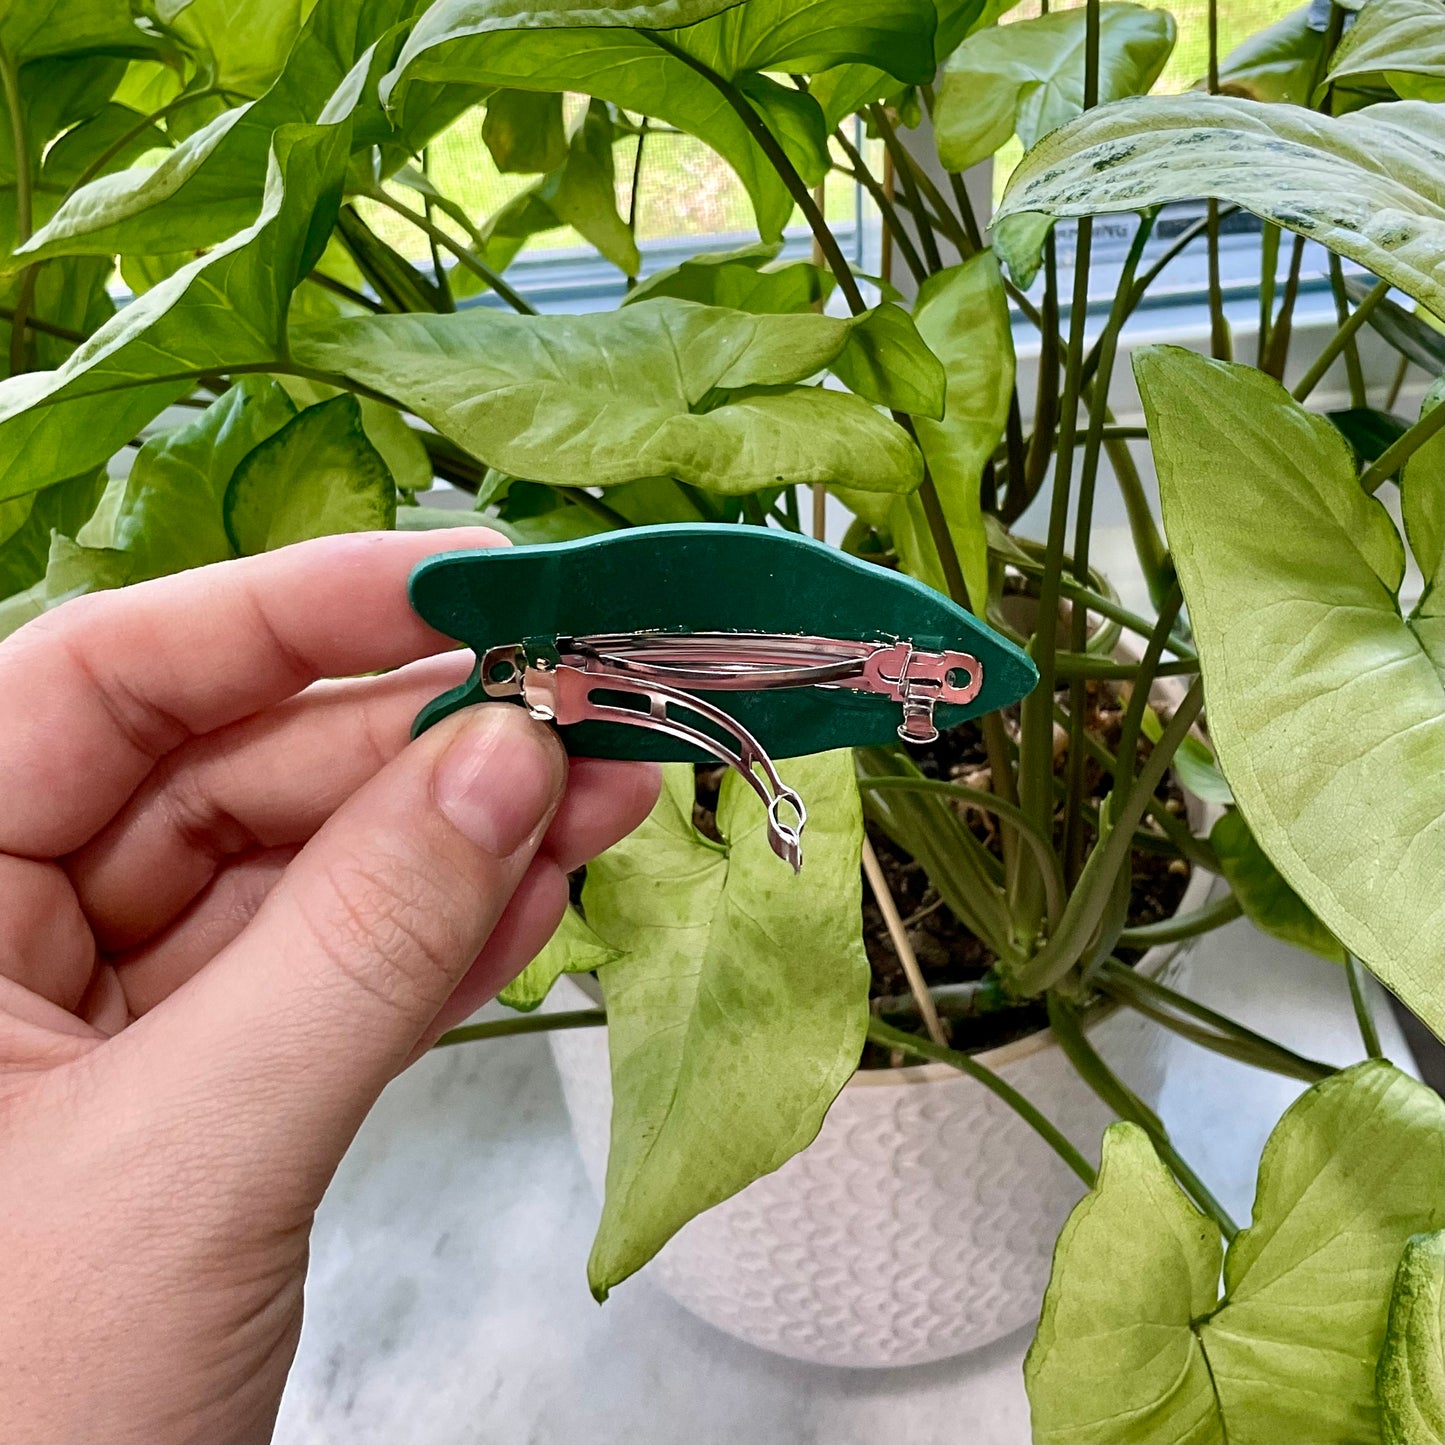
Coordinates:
x,y
499,780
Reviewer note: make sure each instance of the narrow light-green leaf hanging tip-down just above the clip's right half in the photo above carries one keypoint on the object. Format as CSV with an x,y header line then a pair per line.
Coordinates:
x,y
963,314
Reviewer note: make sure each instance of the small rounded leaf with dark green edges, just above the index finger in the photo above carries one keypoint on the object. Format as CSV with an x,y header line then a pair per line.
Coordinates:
x,y
316,478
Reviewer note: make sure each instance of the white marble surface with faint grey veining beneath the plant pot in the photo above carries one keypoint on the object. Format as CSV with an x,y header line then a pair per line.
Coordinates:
x,y
449,1303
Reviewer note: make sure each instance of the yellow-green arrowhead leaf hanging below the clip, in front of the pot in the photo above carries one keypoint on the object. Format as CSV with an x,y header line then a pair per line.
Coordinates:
x,y
738,1008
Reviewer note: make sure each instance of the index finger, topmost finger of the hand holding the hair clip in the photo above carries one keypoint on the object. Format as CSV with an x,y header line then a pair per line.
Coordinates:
x,y
93,694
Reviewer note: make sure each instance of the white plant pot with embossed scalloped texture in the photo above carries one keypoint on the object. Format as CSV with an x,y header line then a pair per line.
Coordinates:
x,y
920,1223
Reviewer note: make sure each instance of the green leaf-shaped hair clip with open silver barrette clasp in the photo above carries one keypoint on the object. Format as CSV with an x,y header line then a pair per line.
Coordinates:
x,y
735,644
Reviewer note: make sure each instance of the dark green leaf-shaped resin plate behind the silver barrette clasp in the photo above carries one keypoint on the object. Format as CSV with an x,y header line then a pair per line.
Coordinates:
x,y
709,577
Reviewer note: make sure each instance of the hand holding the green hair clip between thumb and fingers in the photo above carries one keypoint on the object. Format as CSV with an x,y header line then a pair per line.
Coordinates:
x,y
233,905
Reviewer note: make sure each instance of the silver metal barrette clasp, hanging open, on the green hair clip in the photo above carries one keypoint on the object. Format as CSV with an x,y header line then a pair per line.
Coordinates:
x,y
587,680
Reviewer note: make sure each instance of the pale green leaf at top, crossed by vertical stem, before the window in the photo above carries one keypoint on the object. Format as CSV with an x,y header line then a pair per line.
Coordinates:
x,y
1028,79
